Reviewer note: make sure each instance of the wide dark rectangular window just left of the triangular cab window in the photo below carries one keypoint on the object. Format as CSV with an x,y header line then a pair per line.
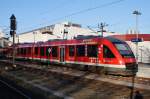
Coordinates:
x,y
92,50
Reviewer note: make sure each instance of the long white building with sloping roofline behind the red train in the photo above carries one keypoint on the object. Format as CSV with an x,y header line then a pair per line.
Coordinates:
x,y
64,30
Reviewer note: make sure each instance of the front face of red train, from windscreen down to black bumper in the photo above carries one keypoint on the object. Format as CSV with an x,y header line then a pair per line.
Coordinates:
x,y
128,57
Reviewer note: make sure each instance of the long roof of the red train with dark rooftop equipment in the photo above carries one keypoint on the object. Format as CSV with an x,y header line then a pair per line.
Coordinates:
x,y
80,39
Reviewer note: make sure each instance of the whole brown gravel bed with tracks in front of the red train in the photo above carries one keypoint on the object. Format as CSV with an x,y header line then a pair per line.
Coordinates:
x,y
69,82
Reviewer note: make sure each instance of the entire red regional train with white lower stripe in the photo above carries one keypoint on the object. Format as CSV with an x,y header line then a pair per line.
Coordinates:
x,y
90,51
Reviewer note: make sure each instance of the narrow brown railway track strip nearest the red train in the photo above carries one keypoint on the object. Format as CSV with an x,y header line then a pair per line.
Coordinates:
x,y
44,69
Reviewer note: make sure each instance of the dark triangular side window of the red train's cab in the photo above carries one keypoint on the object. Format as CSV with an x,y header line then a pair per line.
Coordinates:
x,y
107,53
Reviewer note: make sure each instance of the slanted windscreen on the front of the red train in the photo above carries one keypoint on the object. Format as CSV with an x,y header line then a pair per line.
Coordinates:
x,y
124,50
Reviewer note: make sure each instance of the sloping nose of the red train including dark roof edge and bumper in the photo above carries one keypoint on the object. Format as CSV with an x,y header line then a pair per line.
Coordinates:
x,y
124,56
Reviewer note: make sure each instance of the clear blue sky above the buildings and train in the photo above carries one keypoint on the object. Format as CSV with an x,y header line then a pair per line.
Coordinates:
x,y
32,14
